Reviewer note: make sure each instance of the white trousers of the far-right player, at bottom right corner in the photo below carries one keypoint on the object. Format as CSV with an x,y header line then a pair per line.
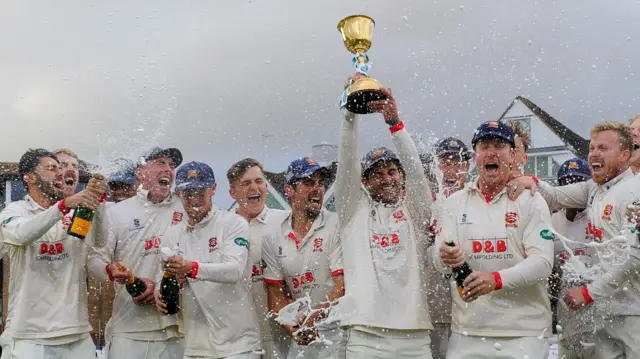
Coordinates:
x,y
619,338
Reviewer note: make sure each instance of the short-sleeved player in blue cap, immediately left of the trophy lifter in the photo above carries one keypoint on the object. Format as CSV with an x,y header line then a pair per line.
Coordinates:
x,y
304,257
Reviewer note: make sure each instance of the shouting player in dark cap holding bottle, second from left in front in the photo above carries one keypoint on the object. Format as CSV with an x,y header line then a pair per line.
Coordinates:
x,y
136,228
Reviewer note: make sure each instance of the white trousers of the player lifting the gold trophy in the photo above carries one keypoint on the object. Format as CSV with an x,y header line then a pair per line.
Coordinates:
x,y
362,345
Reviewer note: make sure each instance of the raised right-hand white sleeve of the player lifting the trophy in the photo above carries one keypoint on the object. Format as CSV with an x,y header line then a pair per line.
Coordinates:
x,y
418,197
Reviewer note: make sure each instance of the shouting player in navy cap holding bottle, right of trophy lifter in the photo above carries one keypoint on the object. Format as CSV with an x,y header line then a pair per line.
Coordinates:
x,y
504,309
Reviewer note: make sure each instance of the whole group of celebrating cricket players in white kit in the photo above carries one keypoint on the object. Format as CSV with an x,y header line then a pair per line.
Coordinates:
x,y
389,251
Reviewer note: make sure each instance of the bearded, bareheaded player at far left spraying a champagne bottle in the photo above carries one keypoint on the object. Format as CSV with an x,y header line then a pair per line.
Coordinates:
x,y
47,312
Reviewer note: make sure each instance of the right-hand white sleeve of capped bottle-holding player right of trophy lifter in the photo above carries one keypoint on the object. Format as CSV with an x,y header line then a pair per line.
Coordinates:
x,y
538,247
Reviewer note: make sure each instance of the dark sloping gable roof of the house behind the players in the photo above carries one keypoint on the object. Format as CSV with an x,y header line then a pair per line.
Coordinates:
x,y
575,143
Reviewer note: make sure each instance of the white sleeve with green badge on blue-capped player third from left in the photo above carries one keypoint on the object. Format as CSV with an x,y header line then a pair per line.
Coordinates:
x,y
234,254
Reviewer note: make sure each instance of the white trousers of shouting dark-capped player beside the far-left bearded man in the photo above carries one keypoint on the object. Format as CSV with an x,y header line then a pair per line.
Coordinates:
x,y
123,348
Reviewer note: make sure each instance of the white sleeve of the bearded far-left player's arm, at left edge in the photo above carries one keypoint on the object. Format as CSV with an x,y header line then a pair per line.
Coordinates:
x,y
20,230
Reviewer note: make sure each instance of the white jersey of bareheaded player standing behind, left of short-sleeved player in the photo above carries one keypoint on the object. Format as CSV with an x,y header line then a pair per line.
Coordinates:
x,y
258,288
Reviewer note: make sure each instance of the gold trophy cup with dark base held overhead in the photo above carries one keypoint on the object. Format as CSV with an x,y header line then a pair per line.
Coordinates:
x,y
357,31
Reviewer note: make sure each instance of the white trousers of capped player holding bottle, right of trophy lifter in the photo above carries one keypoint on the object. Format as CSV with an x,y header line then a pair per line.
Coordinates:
x,y
472,347
